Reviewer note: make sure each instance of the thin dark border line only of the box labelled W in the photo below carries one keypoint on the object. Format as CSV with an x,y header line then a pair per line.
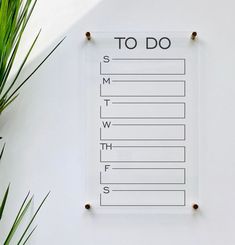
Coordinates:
x,y
181,139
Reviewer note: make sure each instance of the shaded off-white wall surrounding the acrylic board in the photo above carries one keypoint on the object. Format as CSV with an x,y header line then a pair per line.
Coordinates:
x,y
44,133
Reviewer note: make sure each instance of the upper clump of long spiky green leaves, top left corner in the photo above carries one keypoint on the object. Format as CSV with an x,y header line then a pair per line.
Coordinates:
x,y
14,17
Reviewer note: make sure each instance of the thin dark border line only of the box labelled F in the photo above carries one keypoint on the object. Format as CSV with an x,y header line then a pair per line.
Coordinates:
x,y
132,183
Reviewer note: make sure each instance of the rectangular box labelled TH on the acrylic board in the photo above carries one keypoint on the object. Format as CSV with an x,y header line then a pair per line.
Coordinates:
x,y
143,154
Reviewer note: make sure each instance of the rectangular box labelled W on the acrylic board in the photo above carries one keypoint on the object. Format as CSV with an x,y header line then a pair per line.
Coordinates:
x,y
142,132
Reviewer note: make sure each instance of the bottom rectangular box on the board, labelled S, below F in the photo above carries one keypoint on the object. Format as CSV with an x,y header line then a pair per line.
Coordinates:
x,y
143,197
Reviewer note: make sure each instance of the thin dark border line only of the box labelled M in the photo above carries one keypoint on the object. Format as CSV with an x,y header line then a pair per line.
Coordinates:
x,y
150,96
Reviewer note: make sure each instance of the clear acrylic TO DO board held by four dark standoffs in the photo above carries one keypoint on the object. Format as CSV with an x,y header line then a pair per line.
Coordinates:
x,y
141,121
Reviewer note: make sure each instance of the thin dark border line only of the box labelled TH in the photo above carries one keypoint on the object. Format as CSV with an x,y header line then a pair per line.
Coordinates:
x,y
184,147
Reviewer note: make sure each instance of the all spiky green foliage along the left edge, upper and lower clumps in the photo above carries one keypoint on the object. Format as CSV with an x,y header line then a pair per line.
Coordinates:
x,y
14,16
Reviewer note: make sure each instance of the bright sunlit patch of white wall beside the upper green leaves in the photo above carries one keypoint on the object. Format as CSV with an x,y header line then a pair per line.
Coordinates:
x,y
54,17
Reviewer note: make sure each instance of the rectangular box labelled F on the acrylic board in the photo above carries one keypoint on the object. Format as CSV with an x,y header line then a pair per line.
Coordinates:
x,y
143,176
